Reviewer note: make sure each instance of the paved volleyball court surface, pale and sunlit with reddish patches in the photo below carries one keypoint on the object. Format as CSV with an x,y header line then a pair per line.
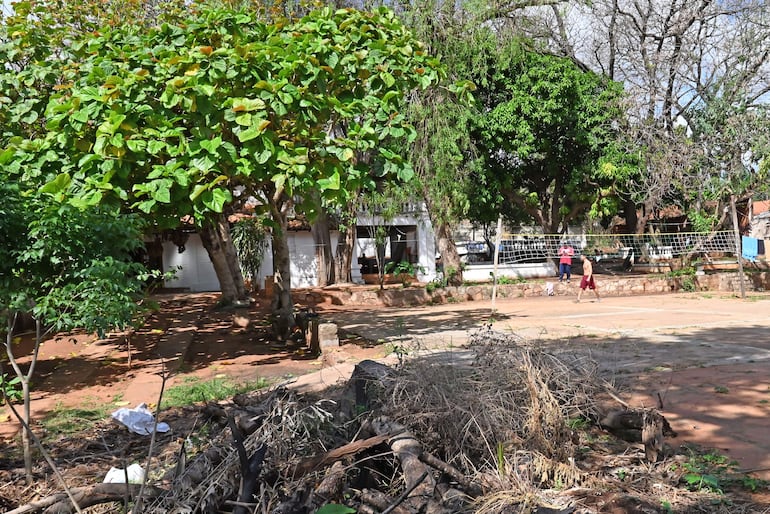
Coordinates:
x,y
705,358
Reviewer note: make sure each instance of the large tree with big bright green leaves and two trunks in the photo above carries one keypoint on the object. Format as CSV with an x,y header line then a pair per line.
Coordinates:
x,y
170,120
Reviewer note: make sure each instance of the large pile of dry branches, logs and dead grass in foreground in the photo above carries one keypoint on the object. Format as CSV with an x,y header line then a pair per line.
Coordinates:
x,y
498,427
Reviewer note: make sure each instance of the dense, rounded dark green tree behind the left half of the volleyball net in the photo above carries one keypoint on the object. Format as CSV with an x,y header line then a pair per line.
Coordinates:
x,y
547,131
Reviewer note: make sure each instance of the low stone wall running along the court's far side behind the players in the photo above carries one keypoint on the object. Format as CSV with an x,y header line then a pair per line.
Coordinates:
x,y
608,285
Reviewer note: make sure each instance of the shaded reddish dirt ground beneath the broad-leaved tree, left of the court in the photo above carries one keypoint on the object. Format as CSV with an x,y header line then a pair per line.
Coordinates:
x,y
187,338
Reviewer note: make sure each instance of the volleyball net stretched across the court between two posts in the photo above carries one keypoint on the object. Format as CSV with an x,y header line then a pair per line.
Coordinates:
x,y
524,248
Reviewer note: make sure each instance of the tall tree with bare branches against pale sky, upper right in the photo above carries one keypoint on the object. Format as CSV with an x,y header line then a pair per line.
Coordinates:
x,y
677,60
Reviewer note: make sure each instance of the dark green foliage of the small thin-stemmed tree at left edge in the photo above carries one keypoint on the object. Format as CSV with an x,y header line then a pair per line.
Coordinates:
x,y
70,268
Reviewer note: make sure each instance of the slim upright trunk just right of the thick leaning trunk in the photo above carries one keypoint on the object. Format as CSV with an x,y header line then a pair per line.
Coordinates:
x,y
282,304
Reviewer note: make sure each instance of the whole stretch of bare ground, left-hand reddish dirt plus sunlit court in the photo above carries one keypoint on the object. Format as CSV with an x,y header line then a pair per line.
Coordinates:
x,y
702,359
